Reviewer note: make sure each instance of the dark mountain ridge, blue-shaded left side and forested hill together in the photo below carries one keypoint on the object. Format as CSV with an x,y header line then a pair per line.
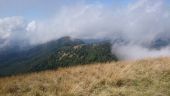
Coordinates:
x,y
58,53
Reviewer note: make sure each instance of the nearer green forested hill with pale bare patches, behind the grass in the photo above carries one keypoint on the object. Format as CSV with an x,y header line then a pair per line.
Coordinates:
x,y
78,55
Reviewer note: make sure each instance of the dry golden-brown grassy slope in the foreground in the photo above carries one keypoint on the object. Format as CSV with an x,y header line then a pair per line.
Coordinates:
x,y
149,77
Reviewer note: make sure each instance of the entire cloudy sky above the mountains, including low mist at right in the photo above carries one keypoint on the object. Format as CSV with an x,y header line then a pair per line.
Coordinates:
x,y
136,23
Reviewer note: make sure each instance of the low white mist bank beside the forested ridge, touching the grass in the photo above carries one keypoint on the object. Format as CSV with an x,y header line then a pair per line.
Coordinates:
x,y
132,52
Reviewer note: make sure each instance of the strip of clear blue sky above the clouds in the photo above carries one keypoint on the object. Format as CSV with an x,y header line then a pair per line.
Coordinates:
x,y
41,9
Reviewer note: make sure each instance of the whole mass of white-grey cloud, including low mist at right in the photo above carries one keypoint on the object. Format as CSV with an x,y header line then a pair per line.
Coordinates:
x,y
132,28
